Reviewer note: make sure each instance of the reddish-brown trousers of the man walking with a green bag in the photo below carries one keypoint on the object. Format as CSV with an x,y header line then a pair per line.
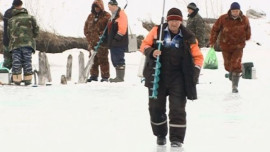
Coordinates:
x,y
233,60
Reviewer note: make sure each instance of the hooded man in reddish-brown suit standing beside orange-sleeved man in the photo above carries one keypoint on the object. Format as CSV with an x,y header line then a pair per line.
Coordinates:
x,y
93,29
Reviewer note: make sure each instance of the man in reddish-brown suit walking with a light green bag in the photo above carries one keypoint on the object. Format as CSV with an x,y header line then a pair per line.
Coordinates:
x,y
234,30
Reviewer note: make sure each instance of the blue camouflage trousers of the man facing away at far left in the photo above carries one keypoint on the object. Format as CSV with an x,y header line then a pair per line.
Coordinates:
x,y
22,58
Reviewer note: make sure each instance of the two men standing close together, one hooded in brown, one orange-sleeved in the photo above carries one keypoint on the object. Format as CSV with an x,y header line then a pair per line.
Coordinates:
x,y
114,38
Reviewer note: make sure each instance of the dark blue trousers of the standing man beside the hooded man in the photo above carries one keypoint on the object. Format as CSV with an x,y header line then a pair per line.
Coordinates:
x,y
118,56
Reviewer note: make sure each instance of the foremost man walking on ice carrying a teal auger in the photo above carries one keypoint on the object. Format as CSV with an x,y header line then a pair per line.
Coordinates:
x,y
181,60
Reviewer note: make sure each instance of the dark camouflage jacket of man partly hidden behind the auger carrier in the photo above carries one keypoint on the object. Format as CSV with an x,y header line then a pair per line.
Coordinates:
x,y
196,25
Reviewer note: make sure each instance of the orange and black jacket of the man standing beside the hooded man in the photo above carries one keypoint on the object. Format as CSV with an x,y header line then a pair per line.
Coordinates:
x,y
118,30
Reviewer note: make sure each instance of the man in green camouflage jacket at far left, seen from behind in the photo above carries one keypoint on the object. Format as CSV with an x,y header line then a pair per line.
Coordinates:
x,y
22,31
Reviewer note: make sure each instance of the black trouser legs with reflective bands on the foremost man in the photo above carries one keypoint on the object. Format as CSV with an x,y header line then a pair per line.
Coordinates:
x,y
177,112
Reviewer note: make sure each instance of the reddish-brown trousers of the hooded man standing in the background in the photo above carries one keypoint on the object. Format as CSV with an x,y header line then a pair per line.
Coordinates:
x,y
101,59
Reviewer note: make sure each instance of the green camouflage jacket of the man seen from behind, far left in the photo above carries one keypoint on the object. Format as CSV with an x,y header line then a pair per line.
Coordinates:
x,y
22,30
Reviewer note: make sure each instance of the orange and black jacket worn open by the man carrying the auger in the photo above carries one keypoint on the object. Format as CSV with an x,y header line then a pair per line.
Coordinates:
x,y
192,57
